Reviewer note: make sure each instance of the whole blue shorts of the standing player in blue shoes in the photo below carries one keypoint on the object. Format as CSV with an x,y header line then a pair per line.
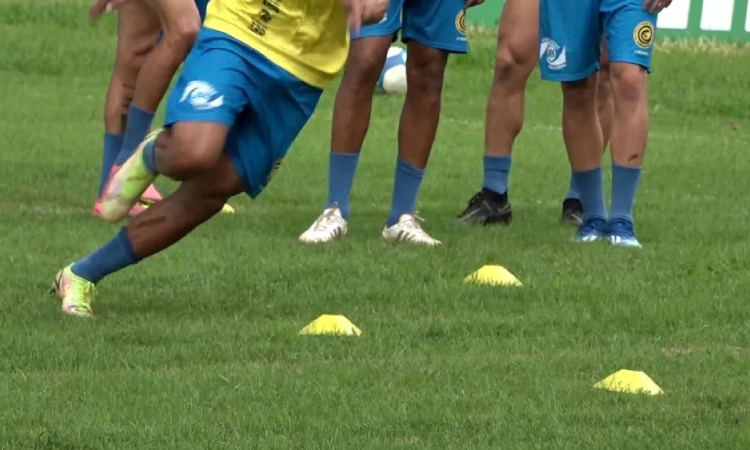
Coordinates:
x,y
571,33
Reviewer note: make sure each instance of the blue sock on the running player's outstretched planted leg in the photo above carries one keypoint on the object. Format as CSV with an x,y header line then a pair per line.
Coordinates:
x,y
115,255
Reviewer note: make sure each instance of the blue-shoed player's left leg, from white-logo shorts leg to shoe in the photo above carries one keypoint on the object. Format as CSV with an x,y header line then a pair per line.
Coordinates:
x,y
570,44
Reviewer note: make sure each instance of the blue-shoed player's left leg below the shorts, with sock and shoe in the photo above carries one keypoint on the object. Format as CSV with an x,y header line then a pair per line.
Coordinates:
x,y
584,141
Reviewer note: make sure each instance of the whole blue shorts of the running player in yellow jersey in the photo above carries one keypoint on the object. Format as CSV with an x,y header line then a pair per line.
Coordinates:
x,y
226,81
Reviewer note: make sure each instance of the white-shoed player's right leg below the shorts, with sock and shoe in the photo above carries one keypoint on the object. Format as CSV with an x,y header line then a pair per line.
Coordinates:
x,y
425,69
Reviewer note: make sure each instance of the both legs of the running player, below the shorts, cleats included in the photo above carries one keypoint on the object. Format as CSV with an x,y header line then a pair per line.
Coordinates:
x,y
192,152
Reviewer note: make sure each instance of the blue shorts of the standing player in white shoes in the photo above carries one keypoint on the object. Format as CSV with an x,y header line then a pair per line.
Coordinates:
x,y
439,24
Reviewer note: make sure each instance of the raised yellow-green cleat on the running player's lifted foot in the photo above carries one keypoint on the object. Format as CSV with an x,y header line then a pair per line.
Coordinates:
x,y
125,188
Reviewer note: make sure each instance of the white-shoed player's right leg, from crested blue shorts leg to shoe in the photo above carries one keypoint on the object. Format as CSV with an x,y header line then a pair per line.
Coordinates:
x,y
433,29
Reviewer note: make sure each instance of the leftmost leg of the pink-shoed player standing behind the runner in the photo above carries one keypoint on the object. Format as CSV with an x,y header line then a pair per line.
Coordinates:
x,y
137,33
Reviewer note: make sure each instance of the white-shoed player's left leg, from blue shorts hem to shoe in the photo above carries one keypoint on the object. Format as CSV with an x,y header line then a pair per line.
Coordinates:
x,y
351,119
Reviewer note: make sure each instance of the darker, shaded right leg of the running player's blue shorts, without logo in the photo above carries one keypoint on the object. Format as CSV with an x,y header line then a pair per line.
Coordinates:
x,y
264,132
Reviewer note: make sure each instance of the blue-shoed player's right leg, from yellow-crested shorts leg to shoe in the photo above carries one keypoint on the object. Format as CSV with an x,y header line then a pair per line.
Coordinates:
x,y
630,35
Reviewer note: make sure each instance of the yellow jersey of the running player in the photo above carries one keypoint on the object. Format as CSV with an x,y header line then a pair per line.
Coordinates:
x,y
307,38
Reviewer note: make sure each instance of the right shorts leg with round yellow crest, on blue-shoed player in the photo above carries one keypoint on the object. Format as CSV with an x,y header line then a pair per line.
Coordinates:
x,y
629,33
